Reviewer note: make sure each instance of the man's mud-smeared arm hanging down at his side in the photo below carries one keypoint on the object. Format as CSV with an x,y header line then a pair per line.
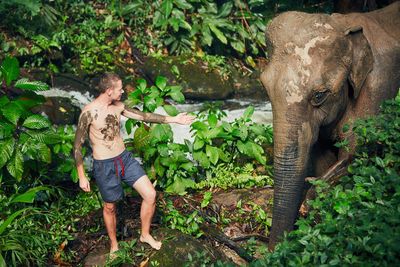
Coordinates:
x,y
80,136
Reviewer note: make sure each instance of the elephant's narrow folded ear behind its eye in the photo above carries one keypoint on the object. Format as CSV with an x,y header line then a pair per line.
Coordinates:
x,y
362,60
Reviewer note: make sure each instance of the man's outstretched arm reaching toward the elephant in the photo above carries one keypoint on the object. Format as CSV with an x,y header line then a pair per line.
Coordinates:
x,y
181,118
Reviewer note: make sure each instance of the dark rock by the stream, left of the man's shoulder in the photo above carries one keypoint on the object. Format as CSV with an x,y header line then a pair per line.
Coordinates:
x,y
59,110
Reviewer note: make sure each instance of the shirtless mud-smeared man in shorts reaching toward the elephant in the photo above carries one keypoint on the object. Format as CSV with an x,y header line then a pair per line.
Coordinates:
x,y
112,163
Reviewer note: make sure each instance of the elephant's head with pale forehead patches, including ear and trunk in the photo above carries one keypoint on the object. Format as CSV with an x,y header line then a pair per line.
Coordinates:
x,y
316,71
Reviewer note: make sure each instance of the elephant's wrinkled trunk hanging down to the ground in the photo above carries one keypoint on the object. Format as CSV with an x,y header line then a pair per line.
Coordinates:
x,y
290,160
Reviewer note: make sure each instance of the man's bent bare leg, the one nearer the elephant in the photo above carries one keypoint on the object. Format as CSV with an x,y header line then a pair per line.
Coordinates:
x,y
146,190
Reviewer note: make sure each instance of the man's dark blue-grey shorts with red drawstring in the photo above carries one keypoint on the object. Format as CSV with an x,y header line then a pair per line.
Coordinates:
x,y
110,172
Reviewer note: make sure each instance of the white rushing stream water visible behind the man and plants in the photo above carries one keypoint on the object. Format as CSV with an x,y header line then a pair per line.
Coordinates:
x,y
234,108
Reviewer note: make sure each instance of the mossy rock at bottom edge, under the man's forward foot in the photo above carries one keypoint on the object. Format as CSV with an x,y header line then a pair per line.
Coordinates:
x,y
176,247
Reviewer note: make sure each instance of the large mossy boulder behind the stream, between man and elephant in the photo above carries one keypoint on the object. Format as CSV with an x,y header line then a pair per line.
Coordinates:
x,y
196,82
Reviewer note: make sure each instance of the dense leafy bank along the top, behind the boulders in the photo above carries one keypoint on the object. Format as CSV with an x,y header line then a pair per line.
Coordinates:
x,y
93,36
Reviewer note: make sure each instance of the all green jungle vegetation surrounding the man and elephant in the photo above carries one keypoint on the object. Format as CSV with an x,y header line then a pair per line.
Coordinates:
x,y
353,223
